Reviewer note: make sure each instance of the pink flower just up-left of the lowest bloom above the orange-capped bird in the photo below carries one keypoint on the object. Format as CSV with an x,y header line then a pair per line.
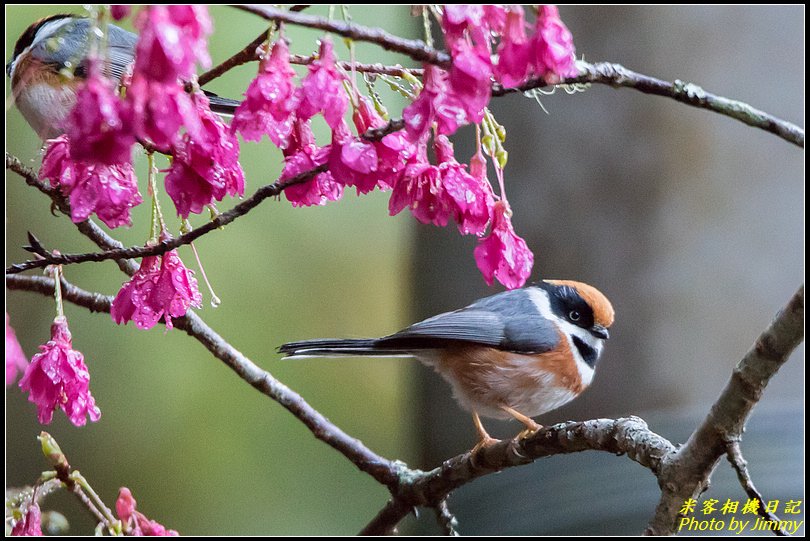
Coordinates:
x,y
468,197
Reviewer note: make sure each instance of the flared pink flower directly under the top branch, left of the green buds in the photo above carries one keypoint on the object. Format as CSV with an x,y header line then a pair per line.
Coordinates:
x,y
435,103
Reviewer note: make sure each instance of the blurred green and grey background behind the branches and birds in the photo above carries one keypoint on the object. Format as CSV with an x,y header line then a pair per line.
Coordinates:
x,y
690,222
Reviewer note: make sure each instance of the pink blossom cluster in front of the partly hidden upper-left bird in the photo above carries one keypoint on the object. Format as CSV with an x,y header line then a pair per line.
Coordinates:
x,y
92,162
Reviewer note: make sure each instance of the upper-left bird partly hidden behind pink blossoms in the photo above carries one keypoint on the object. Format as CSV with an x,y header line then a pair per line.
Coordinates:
x,y
50,62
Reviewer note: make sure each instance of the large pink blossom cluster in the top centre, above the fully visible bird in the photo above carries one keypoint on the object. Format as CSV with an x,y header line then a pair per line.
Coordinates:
x,y
487,43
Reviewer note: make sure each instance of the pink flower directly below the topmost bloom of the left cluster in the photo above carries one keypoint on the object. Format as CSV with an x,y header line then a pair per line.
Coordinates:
x,y
160,109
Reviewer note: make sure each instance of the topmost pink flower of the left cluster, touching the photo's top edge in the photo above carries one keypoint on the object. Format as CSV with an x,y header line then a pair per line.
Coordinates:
x,y
172,39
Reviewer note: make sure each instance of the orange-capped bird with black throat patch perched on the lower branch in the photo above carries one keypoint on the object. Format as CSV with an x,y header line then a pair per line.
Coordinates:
x,y
517,354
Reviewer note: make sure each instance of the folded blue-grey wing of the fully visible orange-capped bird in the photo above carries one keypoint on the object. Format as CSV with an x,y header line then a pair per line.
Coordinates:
x,y
508,321
